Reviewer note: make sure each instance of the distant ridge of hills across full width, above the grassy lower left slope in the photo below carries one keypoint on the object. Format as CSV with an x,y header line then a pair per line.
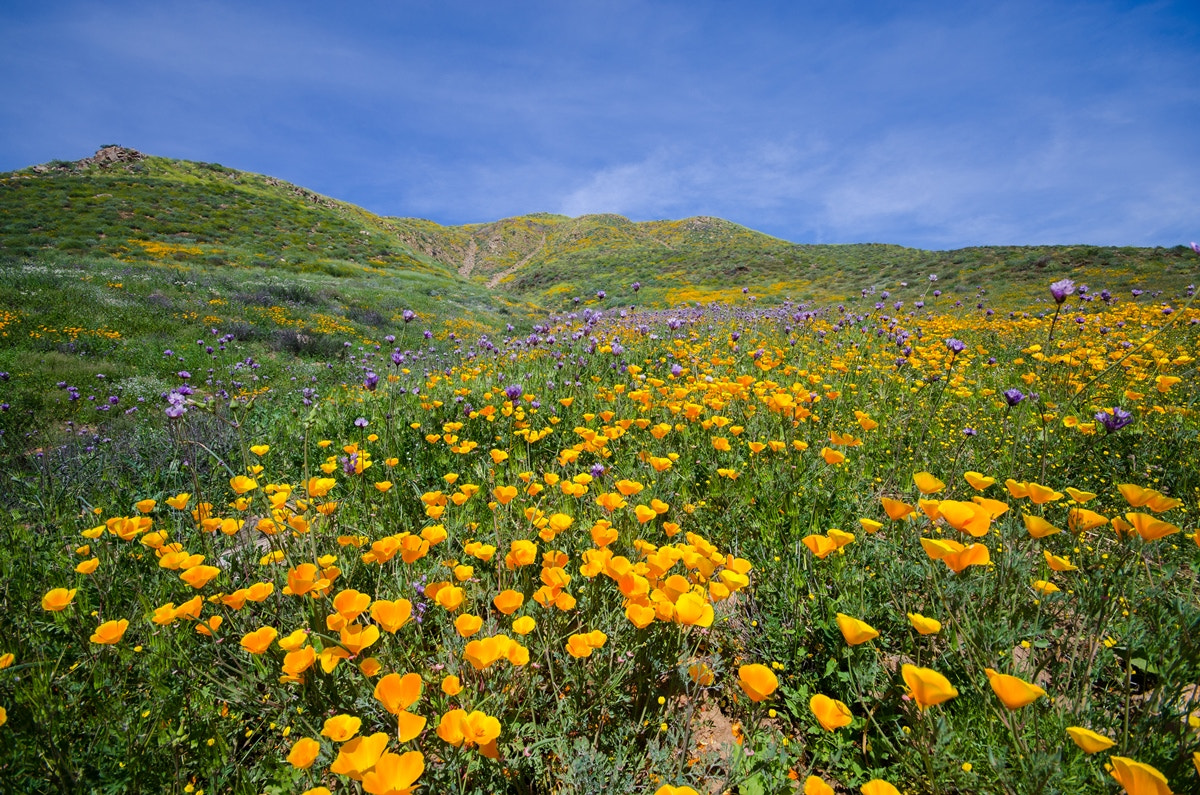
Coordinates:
x,y
119,202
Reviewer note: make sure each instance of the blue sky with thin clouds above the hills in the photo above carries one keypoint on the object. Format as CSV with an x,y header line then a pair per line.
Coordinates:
x,y
935,125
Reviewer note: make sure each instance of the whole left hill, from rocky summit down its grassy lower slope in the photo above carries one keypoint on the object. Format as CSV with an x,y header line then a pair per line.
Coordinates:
x,y
111,262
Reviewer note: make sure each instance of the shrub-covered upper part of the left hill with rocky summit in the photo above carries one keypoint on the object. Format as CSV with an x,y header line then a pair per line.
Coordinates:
x,y
116,204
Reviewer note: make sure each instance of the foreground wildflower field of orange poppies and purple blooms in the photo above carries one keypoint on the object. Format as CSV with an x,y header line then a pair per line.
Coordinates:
x,y
873,547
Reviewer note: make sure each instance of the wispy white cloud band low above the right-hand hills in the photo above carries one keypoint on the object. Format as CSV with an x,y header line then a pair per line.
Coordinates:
x,y
931,188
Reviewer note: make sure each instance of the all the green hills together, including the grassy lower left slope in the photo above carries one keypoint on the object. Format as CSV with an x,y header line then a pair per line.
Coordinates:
x,y
107,262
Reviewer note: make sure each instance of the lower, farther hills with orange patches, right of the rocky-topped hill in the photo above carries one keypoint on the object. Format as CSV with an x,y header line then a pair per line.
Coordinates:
x,y
554,259
